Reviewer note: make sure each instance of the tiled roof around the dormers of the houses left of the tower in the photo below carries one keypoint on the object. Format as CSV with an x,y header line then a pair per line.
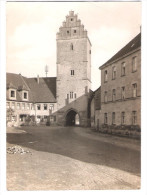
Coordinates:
x,y
44,91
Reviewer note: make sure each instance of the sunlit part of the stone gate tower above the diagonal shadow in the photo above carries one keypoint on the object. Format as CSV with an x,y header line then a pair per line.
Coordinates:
x,y
73,63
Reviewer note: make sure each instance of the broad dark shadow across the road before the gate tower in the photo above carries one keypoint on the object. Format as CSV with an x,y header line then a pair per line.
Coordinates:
x,y
66,142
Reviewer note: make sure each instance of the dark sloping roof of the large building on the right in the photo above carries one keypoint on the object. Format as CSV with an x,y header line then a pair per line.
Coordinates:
x,y
132,45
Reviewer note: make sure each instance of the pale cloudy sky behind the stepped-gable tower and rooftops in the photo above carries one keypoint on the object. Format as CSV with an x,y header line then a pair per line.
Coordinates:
x,y
32,27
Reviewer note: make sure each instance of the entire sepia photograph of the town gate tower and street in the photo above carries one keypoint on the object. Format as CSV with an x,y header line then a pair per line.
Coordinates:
x,y
73,95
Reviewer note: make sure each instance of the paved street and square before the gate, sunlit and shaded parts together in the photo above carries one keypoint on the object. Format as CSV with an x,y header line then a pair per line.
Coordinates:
x,y
72,158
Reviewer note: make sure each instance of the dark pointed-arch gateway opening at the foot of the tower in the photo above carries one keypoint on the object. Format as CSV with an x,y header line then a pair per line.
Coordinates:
x,y
72,118
